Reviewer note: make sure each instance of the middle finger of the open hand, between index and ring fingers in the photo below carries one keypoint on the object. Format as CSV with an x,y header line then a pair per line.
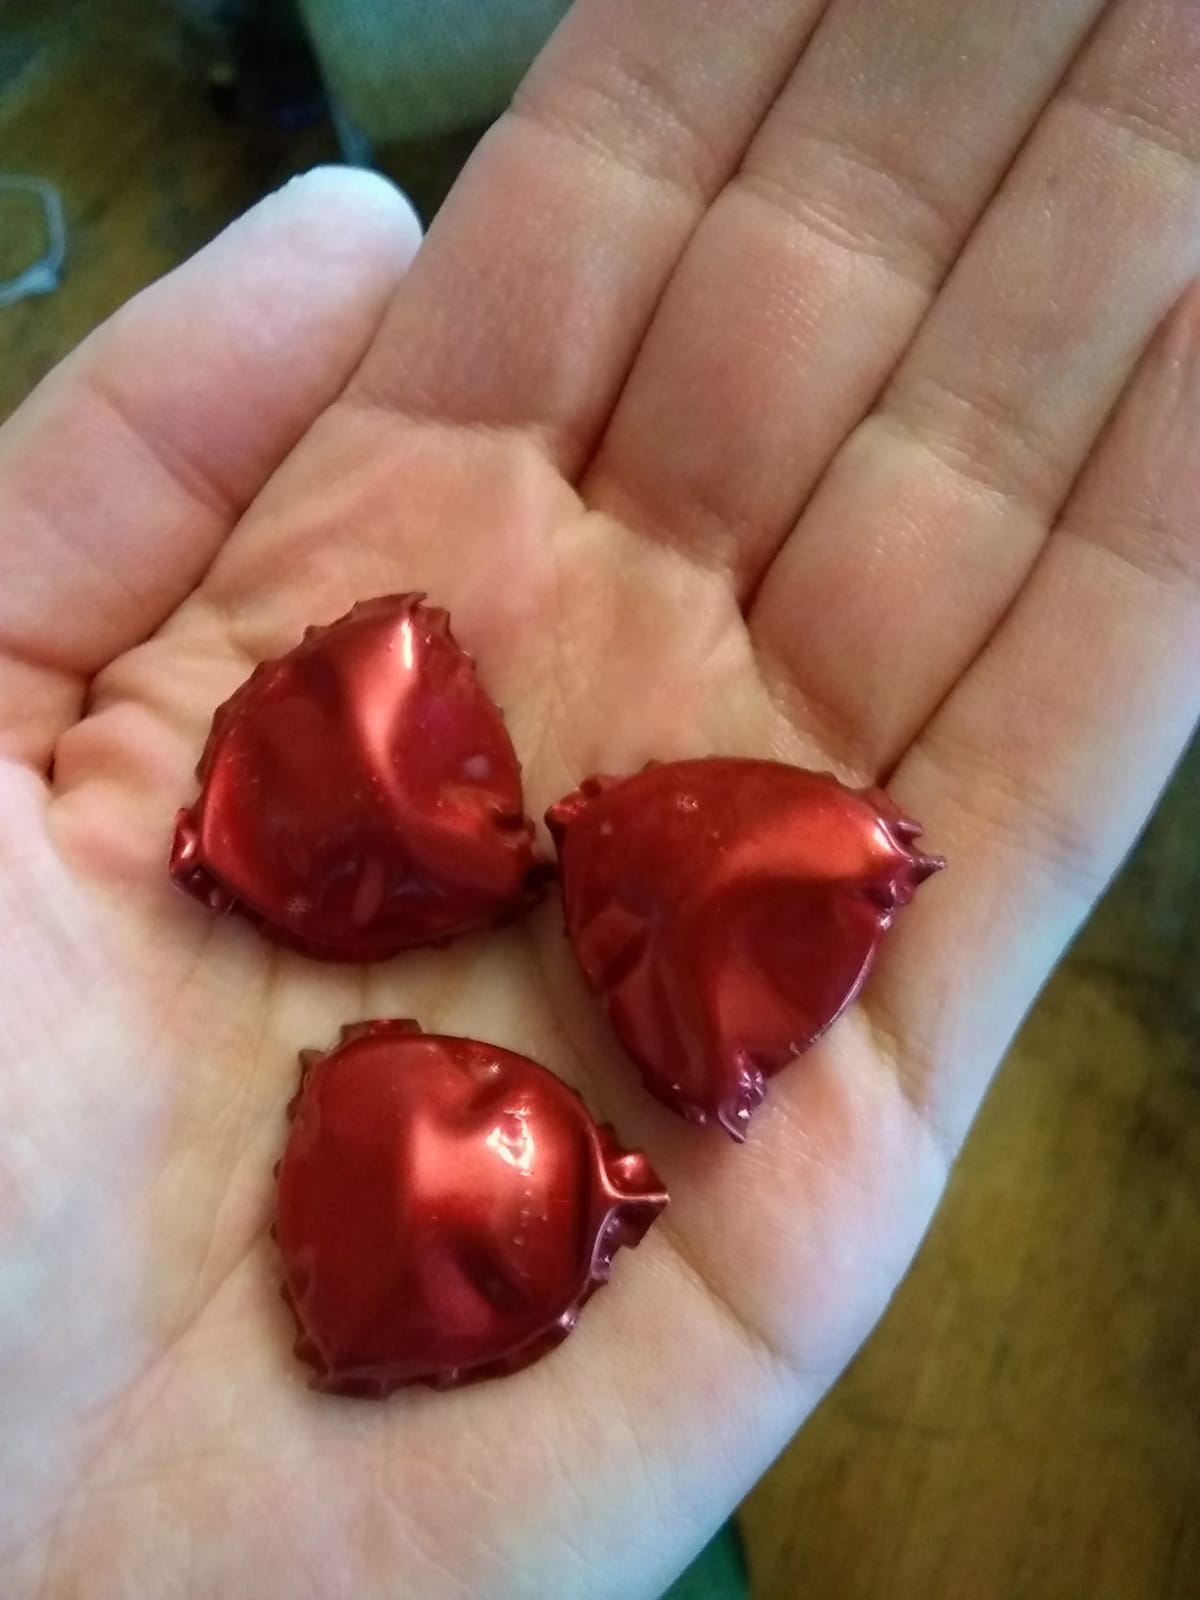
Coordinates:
x,y
818,262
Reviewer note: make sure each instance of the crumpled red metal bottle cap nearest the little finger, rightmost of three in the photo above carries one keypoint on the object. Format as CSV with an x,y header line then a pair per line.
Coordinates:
x,y
727,913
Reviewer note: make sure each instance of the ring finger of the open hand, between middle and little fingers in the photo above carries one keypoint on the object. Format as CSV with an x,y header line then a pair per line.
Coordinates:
x,y
932,514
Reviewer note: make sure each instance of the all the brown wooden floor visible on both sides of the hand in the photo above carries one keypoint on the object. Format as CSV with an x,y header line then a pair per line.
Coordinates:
x,y
1026,1422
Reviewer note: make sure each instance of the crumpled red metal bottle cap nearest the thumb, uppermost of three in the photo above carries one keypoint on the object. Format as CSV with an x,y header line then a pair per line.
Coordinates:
x,y
361,794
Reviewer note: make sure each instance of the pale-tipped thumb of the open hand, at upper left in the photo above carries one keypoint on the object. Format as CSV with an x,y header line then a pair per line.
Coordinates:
x,y
126,471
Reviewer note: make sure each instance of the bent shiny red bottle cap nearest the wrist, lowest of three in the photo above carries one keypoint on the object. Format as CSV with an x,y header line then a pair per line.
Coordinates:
x,y
446,1209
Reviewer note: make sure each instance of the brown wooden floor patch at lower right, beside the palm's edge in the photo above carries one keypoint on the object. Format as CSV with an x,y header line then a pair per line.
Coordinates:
x,y
1025,1425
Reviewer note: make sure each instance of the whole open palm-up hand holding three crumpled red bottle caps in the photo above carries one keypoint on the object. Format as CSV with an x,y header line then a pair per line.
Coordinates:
x,y
810,383
